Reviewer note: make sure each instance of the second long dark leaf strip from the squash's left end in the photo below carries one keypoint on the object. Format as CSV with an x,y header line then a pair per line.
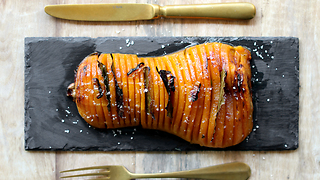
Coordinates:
x,y
119,92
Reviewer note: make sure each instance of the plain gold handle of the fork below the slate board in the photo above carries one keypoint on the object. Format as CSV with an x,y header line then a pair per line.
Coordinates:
x,y
229,171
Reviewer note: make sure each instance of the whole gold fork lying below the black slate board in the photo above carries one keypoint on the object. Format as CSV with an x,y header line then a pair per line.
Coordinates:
x,y
229,171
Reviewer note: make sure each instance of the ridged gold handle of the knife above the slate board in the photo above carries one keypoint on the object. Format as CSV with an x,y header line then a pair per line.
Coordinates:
x,y
243,11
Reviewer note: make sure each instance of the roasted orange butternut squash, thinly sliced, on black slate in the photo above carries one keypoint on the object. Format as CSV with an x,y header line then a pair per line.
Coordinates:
x,y
201,94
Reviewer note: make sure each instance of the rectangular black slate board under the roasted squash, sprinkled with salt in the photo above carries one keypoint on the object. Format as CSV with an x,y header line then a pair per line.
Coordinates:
x,y
52,121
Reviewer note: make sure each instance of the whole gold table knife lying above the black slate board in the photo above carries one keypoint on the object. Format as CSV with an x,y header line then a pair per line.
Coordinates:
x,y
133,12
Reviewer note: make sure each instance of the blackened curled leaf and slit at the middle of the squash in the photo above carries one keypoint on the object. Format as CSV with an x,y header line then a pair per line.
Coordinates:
x,y
169,85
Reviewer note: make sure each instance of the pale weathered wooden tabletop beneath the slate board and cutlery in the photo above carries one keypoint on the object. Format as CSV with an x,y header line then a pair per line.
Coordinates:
x,y
20,19
